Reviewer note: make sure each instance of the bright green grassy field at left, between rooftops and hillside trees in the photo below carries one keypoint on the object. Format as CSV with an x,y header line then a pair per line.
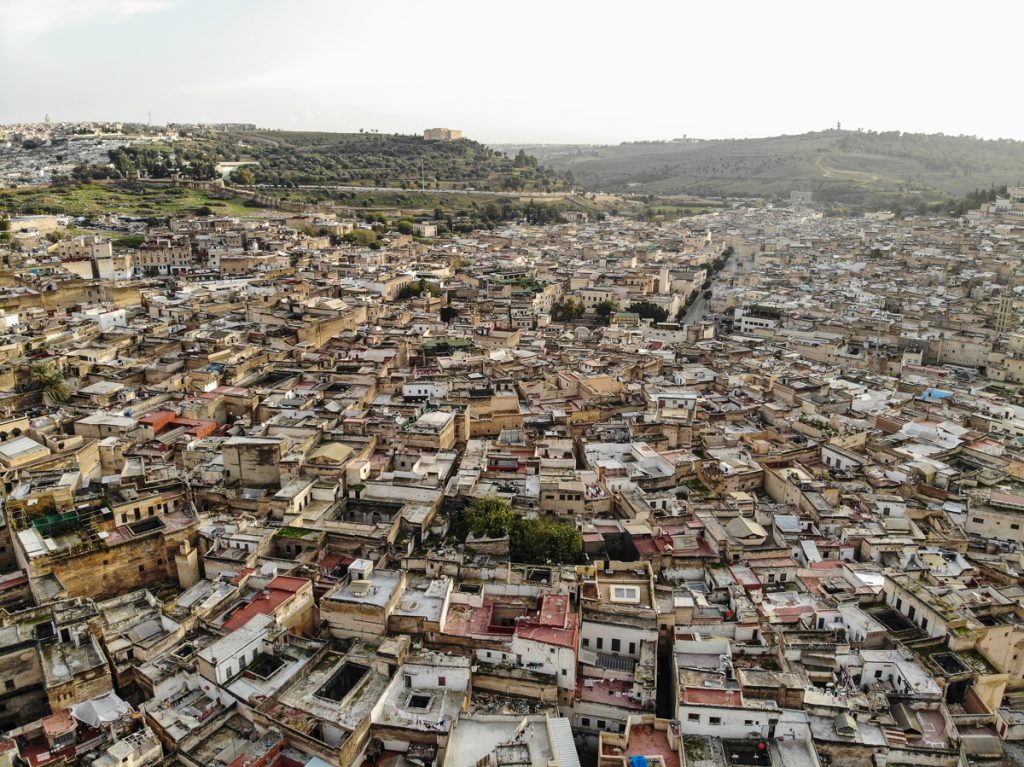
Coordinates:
x,y
140,200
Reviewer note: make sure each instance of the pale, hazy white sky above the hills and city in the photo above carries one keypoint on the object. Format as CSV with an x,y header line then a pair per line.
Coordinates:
x,y
552,71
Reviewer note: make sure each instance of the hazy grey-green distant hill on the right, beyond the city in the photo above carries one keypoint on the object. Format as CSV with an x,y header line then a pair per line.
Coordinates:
x,y
839,167
